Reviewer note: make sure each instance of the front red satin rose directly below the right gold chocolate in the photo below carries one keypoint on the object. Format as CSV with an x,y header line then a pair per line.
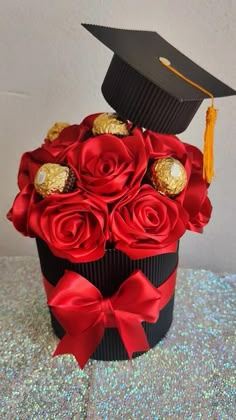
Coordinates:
x,y
147,224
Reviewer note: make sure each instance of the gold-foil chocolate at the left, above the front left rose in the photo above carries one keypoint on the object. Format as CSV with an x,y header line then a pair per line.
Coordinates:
x,y
52,178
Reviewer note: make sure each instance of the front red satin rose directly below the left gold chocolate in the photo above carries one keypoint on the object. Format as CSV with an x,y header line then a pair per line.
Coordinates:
x,y
73,226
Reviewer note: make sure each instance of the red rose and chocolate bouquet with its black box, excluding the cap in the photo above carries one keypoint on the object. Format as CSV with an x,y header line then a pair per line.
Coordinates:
x,y
104,204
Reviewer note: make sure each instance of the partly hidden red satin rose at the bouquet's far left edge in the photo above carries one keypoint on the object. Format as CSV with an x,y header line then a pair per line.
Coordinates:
x,y
18,214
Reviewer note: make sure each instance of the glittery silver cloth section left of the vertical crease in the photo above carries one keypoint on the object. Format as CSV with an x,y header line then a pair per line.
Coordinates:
x,y
34,385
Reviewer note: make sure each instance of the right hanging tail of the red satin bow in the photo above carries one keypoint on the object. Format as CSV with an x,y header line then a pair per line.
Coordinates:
x,y
132,334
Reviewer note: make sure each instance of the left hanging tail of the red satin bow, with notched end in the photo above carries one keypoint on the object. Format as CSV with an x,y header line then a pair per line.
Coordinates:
x,y
82,346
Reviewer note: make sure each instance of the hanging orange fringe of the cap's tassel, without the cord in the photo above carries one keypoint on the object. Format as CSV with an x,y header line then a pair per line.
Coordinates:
x,y
208,152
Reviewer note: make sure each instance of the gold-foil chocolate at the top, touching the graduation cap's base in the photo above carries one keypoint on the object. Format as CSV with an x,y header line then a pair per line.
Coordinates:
x,y
110,124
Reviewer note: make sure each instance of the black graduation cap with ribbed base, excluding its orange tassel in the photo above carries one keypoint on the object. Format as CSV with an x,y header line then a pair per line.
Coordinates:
x,y
141,89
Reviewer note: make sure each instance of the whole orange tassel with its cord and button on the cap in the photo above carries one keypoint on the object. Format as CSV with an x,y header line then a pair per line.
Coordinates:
x,y
211,114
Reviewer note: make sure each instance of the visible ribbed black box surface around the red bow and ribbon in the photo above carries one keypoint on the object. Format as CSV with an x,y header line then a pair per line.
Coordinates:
x,y
107,274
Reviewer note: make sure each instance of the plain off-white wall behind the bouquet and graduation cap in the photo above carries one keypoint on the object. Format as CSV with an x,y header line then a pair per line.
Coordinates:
x,y
51,69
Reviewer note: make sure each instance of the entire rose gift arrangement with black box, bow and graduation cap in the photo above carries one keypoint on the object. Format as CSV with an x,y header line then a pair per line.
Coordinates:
x,y
108,199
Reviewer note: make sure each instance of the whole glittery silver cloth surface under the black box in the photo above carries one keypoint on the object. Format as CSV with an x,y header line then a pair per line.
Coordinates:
x,y
189,375
